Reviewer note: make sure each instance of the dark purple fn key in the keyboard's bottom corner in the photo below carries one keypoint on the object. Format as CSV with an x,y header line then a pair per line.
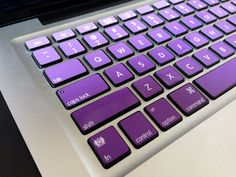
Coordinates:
x,y
109,147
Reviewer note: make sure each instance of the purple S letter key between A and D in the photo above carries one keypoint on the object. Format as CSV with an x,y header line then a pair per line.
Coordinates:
x,y
141,64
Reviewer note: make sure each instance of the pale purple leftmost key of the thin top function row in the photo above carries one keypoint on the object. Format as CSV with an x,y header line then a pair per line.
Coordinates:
x,y
37,43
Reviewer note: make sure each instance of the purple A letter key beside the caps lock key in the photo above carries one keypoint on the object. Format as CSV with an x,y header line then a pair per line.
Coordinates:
x,y
118,74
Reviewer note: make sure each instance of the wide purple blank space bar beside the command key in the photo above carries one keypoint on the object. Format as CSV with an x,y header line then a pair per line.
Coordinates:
x,y
218,81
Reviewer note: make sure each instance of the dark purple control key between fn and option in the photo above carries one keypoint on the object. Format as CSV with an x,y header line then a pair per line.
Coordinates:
x,y
138,129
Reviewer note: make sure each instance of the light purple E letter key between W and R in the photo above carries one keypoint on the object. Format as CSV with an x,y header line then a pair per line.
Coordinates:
x,y
140,42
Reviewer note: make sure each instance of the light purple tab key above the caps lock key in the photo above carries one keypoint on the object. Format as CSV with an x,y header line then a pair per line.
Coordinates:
x,y
64,72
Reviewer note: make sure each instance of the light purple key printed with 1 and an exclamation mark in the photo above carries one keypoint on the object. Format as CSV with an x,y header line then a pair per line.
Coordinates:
x,y
71,48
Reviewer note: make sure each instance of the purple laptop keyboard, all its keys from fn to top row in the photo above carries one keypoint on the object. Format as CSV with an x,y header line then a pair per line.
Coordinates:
x,y
74,57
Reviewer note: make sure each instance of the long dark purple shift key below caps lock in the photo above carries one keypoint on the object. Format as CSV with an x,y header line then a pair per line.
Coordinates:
x,y
104,110
